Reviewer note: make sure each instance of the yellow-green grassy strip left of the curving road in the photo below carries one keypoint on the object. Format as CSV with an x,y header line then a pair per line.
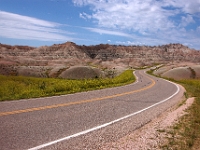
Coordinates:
x,y
18,87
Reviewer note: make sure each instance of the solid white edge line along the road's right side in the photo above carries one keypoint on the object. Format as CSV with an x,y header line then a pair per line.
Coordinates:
x,y
106,124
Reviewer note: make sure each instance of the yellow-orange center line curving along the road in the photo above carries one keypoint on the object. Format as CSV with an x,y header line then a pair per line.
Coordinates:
x,y
75,103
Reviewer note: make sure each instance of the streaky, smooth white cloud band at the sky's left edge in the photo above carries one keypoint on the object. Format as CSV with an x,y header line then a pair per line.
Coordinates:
x,y
23,27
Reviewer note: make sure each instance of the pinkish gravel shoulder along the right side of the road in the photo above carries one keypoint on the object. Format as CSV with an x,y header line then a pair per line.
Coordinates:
x,y
153,134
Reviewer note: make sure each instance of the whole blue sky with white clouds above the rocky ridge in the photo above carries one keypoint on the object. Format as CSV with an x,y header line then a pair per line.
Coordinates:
x,y
91,22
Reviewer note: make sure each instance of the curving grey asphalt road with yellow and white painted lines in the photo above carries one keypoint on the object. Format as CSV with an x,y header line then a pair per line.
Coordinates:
x,y
84,120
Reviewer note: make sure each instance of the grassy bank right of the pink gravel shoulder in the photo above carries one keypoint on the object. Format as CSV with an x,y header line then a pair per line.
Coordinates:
x,y
185,135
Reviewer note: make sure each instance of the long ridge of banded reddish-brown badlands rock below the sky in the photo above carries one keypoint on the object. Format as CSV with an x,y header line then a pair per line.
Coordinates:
x,y
52,61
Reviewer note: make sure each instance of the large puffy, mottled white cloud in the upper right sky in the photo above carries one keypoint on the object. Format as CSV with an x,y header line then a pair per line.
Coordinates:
x,y
141,16
